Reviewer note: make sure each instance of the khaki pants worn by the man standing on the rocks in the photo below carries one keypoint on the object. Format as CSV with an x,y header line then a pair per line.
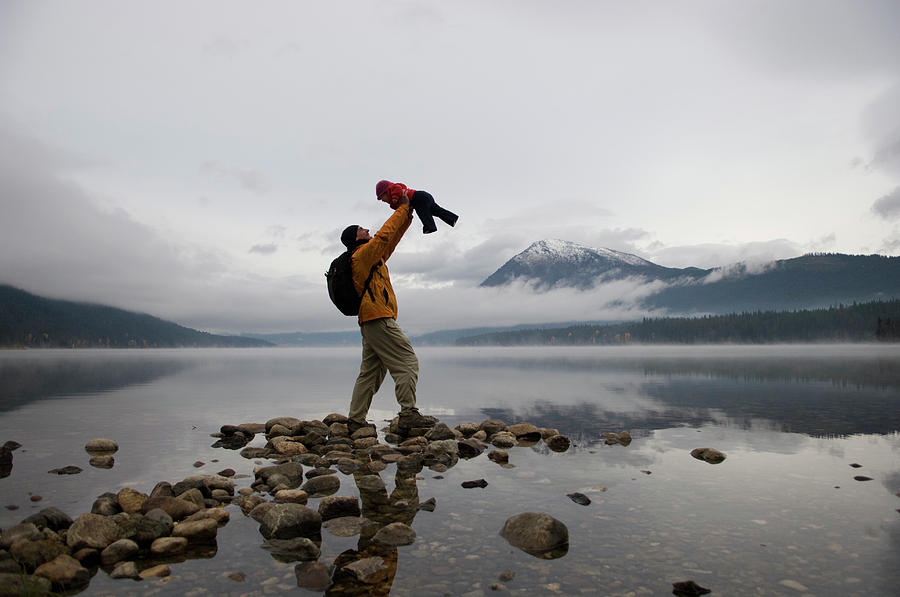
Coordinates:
x,y
385,348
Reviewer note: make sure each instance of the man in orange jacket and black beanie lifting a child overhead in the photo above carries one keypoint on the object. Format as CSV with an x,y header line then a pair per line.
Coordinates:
x,y
385,346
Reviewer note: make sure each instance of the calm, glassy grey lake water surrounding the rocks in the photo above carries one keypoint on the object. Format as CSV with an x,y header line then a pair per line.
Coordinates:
x,y
782,515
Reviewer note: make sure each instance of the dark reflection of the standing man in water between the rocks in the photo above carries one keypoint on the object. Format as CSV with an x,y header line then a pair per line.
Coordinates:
x,y
382,509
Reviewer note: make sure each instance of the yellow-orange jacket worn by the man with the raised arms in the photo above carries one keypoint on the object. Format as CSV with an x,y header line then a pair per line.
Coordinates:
x,y
379,300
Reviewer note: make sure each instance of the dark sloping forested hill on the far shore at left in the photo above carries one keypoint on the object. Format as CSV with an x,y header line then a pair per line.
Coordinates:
x,y
27,320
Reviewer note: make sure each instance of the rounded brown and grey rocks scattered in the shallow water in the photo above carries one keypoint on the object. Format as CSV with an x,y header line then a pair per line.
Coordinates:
x,y
134,535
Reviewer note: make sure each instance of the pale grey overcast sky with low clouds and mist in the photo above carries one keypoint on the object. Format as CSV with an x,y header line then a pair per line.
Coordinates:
x,y
197,160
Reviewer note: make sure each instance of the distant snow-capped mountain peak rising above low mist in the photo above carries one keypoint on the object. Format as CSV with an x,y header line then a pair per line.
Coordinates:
x,y
554,263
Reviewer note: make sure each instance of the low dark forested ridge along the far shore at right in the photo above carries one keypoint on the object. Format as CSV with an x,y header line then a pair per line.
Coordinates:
x,y
867,322
